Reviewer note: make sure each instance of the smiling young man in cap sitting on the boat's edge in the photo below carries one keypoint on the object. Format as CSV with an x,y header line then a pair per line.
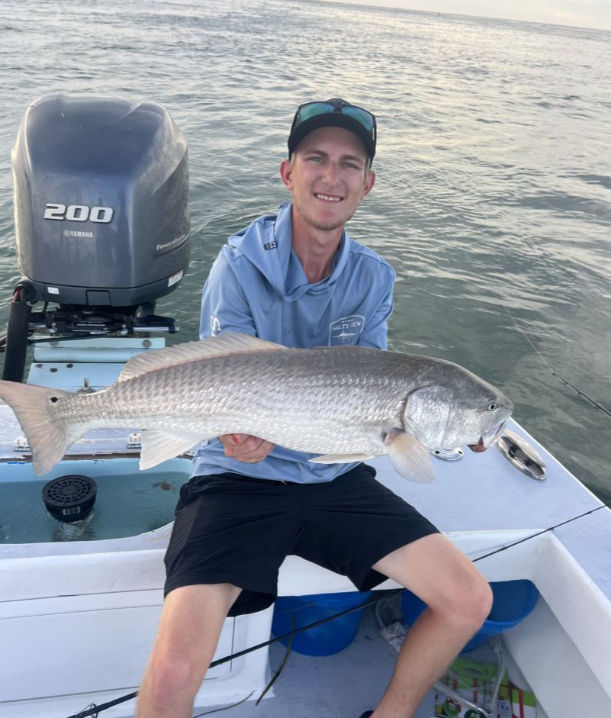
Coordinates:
x,y
299,280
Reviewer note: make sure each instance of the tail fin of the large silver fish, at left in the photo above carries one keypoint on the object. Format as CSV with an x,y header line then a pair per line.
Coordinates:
x,y
47,439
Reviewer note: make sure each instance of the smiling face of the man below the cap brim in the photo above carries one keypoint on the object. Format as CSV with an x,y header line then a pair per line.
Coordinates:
x,y
328,177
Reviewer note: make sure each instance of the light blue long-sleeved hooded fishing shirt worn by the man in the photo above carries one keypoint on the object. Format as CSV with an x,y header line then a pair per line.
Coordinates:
x,y
257,286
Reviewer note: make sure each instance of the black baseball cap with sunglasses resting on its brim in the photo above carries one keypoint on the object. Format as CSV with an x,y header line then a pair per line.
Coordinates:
x,y
334,113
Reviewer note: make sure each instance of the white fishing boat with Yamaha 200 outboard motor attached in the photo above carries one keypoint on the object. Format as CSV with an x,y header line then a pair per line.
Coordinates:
x,y
102,228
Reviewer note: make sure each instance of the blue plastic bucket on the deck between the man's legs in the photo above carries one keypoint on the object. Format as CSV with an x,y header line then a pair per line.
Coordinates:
x,y
331,637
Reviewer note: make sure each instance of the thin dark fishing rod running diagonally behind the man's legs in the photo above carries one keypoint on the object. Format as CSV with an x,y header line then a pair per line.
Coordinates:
x,y
94,710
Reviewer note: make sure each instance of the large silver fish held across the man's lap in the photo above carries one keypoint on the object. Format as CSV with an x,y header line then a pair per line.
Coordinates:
x,y
339,404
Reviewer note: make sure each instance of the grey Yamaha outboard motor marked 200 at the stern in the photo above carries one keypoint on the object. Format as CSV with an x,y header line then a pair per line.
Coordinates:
x,y
101,217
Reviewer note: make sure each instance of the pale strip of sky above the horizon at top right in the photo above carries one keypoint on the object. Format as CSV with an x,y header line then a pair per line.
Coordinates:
x,y
581,13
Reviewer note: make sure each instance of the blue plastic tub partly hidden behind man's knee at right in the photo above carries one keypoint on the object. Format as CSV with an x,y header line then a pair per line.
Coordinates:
x,y
513,601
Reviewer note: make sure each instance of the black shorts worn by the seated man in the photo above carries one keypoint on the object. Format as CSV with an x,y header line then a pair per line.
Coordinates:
x,y
234,529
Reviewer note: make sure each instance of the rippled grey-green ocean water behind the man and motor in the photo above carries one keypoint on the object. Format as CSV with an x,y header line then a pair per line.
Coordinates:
x,y
493,197
